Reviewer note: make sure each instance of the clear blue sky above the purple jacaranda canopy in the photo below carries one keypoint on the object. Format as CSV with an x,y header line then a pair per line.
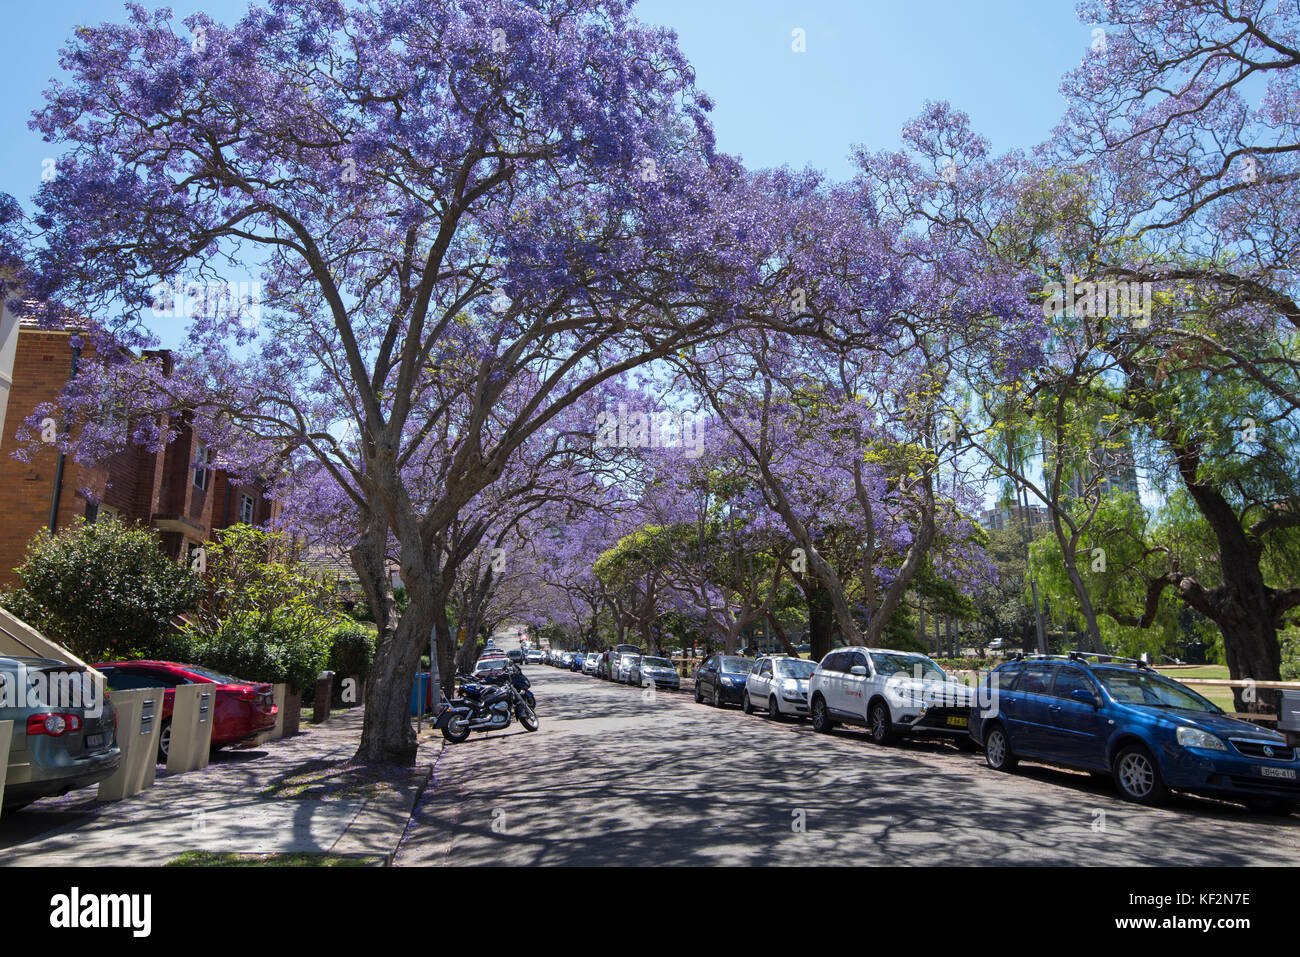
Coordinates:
x,y
868,70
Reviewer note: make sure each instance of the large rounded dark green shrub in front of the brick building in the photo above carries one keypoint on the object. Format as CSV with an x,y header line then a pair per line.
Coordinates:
x,y
103,590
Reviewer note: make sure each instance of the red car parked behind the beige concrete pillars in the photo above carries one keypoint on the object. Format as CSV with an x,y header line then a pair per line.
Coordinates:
x,y
242,709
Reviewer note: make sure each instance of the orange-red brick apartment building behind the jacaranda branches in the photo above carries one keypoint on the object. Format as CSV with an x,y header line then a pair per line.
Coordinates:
x,y
162,490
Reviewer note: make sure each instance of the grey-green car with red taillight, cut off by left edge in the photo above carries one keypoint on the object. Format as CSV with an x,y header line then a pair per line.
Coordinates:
x,y
60,743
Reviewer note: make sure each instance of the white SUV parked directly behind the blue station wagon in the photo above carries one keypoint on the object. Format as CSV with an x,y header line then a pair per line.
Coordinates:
x,y
891,694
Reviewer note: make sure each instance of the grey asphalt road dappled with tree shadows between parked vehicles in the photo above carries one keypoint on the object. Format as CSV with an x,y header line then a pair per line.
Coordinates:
x,y
618,776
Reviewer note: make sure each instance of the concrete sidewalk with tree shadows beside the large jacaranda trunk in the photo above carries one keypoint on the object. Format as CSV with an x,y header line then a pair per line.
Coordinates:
x,y
296,795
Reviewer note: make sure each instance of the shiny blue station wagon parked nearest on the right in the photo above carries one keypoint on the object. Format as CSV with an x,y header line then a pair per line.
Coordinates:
x,y
1151,734
